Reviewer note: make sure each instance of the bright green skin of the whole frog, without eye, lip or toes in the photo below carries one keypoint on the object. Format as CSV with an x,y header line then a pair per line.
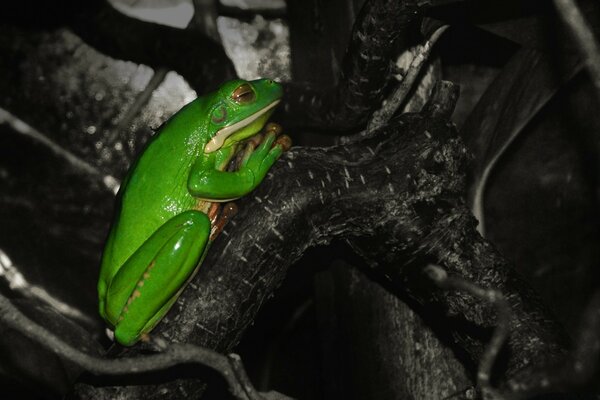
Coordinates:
x,y
158,238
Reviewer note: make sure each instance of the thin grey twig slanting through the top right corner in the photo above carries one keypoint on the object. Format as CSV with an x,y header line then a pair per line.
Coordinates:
x,y
584,38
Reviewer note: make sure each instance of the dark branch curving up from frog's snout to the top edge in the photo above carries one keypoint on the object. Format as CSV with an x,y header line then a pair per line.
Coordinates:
x,y
380,33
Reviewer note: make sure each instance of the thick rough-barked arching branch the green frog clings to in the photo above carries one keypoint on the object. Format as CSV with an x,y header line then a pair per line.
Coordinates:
x,y
398,198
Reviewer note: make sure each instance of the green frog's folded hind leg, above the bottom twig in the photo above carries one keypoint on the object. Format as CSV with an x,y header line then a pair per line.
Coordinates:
x,y
151,279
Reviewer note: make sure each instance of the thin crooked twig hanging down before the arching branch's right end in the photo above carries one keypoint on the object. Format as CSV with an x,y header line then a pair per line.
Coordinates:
x,y
486,363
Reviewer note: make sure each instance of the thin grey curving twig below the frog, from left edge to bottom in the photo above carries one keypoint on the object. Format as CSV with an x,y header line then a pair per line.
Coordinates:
x,y
173,355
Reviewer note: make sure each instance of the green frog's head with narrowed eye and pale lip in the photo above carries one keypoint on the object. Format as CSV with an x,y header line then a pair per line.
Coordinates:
x,y
240,110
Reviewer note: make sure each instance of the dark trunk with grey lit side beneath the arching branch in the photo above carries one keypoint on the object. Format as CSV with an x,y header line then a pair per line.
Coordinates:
x,y
374,344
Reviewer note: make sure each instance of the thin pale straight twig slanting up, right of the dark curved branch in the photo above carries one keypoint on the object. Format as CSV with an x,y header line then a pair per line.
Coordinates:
x,y
382,116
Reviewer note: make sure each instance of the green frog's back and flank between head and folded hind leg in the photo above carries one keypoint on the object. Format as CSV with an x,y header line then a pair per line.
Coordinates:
x,y
155,189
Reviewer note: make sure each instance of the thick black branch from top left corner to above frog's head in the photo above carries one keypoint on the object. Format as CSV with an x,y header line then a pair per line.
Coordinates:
x,y
199,59
